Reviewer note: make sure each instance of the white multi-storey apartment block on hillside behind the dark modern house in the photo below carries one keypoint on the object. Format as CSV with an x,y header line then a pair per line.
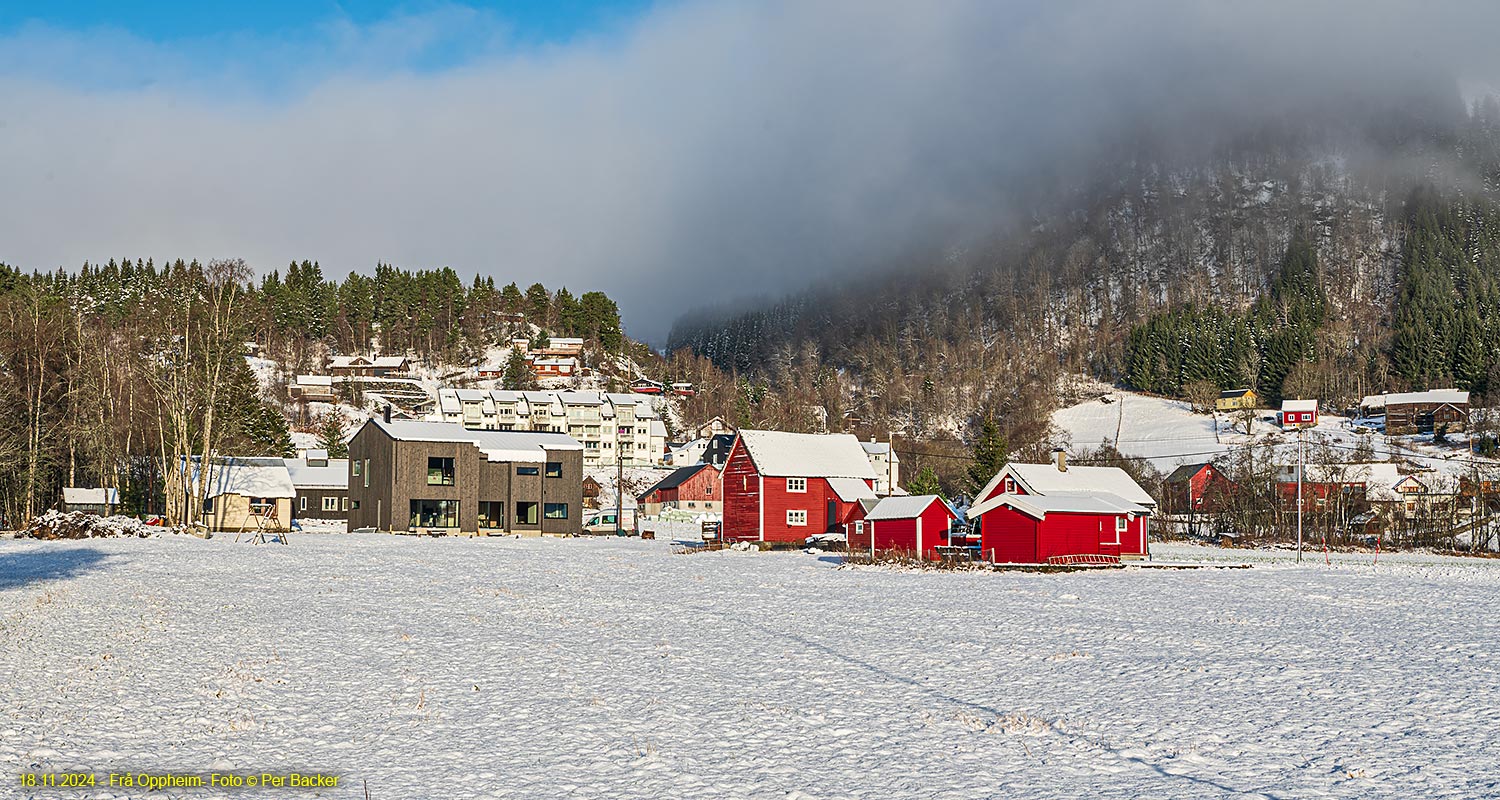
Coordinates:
x,y
613,427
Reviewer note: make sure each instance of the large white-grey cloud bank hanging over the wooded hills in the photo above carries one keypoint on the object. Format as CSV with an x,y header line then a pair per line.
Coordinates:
x,y
709,151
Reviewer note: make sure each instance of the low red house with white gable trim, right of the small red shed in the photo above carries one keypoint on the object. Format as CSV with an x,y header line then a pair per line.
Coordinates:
x,y
1036,514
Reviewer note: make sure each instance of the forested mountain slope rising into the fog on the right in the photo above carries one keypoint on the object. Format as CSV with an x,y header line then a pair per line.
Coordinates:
x,y
1319,256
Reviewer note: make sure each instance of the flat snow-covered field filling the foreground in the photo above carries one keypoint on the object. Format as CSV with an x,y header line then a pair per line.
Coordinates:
x,y
611,669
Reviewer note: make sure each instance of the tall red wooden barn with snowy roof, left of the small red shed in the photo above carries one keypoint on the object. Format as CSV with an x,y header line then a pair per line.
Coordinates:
x,y
788,487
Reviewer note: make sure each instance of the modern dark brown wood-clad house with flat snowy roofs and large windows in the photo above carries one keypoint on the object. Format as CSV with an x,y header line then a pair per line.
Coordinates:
x,y
442,478
